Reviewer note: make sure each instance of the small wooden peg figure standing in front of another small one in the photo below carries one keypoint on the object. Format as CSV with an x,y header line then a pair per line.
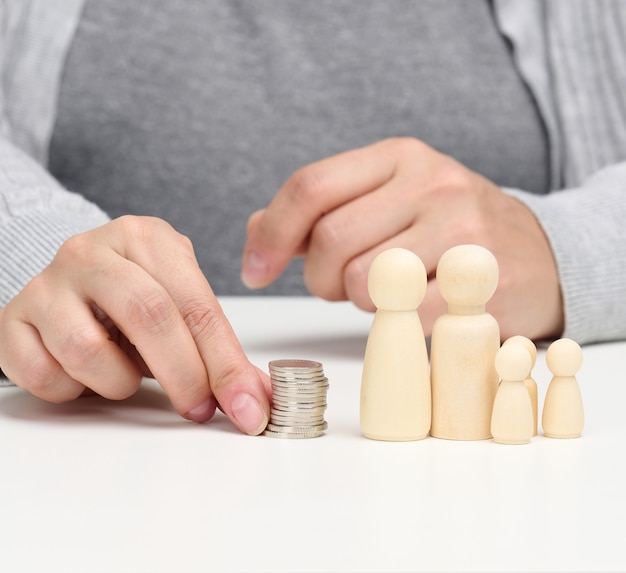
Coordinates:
x,y
512,417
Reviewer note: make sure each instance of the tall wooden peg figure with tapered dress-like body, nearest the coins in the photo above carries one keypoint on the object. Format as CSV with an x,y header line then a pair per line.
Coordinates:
x,y
395,386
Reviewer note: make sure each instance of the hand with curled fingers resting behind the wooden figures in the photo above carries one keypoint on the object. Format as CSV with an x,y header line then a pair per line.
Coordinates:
x,y
342,211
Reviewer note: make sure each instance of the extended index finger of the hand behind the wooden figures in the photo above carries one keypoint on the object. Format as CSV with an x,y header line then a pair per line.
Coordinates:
x,y
277,235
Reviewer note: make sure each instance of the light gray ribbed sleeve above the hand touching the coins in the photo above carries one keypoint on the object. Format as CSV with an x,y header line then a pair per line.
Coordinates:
x,y
36,215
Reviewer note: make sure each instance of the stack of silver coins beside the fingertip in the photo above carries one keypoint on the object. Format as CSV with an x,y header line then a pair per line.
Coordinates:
x,y
298,399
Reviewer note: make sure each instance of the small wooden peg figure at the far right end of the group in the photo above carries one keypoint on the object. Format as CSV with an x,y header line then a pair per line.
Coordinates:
x,y
563,415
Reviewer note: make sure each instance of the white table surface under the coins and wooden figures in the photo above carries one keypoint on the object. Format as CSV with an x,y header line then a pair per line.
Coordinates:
x,y
129,486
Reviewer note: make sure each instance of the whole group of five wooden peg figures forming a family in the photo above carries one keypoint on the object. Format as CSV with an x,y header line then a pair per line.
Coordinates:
x,y
473,388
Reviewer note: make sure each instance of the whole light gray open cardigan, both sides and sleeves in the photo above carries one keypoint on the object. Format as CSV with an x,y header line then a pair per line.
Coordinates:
x,y
570,52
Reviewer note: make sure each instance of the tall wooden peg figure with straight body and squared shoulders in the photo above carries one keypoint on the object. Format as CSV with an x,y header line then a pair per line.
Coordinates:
x,y
464,345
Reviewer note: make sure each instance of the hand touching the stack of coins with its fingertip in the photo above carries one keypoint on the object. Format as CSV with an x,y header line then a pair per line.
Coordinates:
x,y
123,301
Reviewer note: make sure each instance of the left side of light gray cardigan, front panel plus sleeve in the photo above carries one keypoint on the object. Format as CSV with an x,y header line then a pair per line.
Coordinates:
x,y
36,213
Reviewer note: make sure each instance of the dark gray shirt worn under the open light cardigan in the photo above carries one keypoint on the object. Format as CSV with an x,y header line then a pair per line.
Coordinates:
x,y
197,112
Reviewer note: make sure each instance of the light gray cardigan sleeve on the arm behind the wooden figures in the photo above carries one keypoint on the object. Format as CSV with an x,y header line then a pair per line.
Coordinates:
x,y
584,226
